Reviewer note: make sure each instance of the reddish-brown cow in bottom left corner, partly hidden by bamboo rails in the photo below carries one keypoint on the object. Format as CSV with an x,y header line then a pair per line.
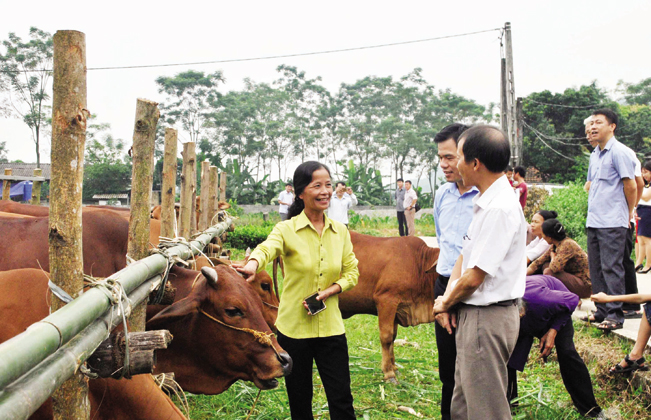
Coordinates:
x,y
24,301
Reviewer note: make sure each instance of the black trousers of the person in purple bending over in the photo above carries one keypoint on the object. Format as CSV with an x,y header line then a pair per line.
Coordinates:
x,y
574,372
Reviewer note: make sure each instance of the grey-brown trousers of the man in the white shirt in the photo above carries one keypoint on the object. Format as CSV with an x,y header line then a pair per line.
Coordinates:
x,y
485,338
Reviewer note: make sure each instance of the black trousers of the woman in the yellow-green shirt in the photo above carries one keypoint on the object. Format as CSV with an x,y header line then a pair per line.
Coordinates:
x,y
331,357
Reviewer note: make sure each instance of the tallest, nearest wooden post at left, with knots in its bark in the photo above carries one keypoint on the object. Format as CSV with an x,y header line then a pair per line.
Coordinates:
x,y
69,116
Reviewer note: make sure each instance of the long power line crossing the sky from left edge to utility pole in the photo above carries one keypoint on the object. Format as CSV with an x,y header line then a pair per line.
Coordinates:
x,y
271,57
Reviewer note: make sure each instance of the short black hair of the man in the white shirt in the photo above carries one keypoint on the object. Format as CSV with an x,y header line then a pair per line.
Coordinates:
x,y
489,145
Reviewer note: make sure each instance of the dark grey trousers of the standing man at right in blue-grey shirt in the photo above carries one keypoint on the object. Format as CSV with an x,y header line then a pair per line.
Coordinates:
x,y
605,256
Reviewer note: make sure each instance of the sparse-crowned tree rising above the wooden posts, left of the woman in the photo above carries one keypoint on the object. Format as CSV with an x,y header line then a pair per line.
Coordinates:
x,y
189,98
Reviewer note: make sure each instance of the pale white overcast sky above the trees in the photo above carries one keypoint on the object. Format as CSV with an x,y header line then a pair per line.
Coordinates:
x,y
556,45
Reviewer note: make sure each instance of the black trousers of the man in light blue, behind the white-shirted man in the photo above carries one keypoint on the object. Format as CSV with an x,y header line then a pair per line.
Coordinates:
x,y
447,350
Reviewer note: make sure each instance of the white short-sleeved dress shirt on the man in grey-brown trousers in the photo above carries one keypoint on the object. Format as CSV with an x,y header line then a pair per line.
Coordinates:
x,y
495,243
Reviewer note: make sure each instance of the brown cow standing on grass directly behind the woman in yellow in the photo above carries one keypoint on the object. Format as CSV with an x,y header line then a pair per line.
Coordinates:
x,y
396,283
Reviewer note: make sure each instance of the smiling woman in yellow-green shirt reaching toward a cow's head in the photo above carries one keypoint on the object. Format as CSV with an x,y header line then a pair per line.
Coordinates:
x,y
319,258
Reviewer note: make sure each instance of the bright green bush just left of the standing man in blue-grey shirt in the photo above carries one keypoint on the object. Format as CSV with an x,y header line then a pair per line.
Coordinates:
x,y
571,204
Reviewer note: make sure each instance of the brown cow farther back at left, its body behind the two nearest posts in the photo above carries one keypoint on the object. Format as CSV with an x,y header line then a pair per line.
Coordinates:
x,y
104,240
